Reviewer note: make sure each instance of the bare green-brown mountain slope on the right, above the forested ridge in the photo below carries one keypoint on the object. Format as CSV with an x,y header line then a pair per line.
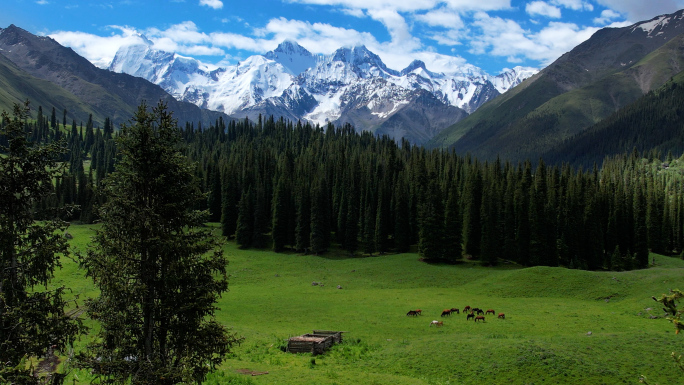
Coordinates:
x,y
613,68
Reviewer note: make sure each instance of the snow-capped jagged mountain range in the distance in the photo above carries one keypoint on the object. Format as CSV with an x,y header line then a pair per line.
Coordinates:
x,y
352,85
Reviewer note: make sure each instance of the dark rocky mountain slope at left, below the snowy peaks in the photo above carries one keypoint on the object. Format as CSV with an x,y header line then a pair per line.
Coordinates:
x,y
101,92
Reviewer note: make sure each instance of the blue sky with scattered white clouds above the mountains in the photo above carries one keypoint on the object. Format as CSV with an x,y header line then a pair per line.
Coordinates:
x,y
490,34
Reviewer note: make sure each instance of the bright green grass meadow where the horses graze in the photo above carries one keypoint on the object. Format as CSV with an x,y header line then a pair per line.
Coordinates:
x,y
543,340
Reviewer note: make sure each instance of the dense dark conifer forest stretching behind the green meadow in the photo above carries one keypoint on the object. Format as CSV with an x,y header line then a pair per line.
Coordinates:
x,y
286,185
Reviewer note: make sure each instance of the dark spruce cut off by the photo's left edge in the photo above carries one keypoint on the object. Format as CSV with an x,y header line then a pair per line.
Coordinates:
x,y
31,321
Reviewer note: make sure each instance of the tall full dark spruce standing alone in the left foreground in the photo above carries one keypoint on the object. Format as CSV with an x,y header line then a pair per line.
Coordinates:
x,y
158,270
